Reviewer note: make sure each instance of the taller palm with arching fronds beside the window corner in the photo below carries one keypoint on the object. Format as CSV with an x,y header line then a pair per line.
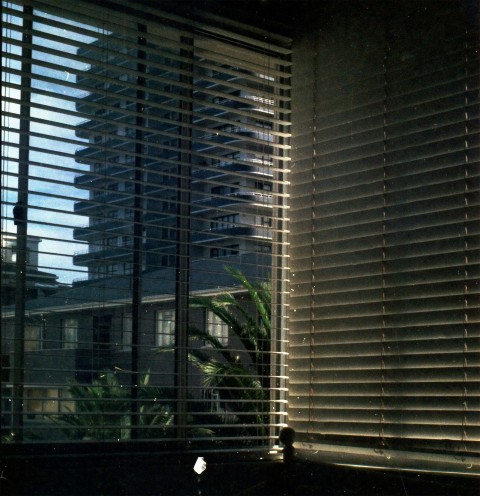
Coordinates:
x,y
241,378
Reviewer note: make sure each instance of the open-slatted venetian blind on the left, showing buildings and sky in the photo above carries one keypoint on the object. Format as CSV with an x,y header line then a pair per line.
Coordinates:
x,y
143,164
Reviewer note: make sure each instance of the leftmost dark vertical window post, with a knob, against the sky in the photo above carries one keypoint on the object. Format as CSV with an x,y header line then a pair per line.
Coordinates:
x,y
21,221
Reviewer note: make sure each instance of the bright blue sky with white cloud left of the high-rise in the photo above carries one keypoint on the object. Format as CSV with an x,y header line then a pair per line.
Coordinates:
x,y
52,189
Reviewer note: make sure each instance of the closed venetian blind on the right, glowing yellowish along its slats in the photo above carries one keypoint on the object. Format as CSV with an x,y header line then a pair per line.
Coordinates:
x,y
384,341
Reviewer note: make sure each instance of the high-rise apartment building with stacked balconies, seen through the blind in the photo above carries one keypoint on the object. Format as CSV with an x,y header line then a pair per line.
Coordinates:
x,y
219,123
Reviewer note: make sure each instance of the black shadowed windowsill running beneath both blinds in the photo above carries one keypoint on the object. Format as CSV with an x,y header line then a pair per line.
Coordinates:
x,y
77,471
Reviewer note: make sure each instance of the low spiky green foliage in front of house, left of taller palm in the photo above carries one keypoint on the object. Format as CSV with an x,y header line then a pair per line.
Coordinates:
x,y
103,410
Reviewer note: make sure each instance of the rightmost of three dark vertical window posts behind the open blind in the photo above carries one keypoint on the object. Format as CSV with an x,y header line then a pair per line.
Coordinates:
x,y
182,282
